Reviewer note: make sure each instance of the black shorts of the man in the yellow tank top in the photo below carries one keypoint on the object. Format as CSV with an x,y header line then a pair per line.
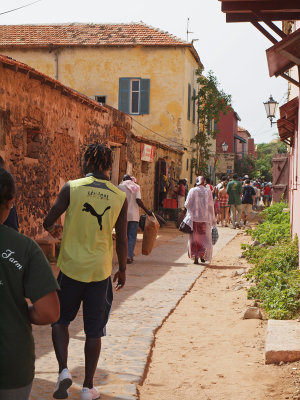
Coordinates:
x,y
96,298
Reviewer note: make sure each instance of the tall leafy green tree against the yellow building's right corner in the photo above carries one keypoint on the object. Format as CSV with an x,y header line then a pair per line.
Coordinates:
x,y
210,103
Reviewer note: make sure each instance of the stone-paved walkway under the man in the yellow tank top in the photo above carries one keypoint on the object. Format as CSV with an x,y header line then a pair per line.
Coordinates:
x,y
155,284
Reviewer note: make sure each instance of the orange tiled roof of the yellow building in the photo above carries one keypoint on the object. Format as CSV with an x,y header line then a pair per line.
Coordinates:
x,y
95,35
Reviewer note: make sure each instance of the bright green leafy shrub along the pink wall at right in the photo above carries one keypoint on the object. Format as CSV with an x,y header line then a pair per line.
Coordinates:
x,y
275,274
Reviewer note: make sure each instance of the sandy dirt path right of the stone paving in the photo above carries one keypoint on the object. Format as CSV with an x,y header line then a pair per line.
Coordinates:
x,y
205,350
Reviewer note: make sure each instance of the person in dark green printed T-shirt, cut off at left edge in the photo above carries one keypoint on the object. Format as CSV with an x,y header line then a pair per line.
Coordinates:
x,y
24,273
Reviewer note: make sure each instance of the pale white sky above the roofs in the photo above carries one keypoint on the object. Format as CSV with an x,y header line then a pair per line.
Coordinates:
x,y
235,52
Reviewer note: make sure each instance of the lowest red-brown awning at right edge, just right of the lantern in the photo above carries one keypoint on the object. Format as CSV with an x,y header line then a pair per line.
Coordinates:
x,y
287,124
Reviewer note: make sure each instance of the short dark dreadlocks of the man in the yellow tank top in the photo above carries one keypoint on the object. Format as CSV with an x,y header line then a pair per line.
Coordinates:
x,y
96,157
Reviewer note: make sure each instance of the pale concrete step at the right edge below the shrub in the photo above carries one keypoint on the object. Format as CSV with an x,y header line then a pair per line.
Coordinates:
x,y
283,341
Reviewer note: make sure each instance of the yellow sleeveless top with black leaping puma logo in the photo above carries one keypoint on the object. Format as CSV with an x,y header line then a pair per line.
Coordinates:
x,y
87,249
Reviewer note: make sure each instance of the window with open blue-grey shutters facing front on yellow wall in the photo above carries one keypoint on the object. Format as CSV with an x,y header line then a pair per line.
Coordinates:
x,y
134,95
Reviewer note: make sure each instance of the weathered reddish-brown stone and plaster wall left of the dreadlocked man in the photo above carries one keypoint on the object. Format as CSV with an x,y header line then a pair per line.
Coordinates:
x,y
43,131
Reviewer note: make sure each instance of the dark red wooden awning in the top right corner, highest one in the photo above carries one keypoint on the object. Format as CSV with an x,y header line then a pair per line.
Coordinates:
x,y
272,10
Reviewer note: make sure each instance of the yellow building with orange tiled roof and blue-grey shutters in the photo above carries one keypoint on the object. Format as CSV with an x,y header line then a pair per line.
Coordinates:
x,y
145,72
